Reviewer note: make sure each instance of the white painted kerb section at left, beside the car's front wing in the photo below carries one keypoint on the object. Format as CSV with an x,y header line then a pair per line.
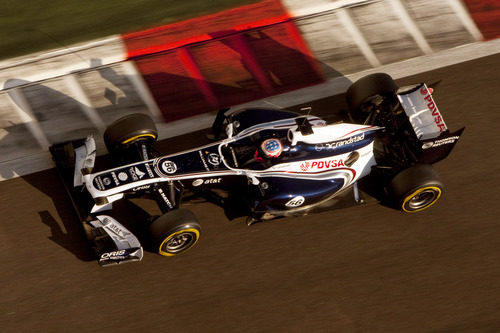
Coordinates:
x,y
63,95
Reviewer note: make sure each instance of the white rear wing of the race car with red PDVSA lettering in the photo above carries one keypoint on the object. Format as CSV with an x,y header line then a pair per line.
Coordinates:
x,y
428,123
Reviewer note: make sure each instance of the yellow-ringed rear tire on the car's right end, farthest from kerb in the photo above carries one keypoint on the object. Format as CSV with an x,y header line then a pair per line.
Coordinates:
x,y
416,188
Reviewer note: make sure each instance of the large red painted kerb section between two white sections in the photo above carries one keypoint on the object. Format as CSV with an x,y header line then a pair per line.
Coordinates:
x,y
216,61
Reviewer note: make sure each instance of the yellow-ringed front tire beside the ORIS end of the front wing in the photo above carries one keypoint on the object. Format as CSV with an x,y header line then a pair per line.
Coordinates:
x,y
174,232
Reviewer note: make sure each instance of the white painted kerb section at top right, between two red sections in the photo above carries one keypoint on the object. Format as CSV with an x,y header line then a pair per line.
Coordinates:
x,y
350,36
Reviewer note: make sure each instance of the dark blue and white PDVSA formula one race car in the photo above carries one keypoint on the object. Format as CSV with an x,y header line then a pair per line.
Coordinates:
x,y
274,163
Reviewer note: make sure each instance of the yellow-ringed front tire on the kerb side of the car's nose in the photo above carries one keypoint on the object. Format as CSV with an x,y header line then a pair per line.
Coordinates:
x,y
128,130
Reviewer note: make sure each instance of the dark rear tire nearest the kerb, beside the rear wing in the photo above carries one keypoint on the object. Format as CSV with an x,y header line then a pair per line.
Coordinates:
x,y
365,89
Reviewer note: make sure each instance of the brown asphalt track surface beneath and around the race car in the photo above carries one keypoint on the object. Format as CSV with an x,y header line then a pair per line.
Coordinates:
x,y
357,269
